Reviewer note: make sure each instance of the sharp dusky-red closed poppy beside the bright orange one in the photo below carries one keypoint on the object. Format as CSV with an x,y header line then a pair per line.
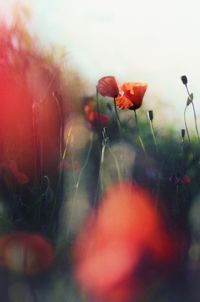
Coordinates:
x,y
107,86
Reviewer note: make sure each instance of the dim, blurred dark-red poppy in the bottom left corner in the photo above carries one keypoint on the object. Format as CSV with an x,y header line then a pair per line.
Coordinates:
x,y
25,253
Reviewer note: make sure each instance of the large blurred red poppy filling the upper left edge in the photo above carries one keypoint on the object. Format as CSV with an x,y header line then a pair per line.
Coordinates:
x,y
26,135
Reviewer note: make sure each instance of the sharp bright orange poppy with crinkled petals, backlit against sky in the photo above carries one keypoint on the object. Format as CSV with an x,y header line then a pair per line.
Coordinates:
x,y
131,96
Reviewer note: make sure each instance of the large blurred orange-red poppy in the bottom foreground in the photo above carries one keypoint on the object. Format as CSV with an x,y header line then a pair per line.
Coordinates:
x,y
119,254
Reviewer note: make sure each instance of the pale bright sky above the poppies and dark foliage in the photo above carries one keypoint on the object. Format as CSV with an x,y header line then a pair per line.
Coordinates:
x,y
151,41
